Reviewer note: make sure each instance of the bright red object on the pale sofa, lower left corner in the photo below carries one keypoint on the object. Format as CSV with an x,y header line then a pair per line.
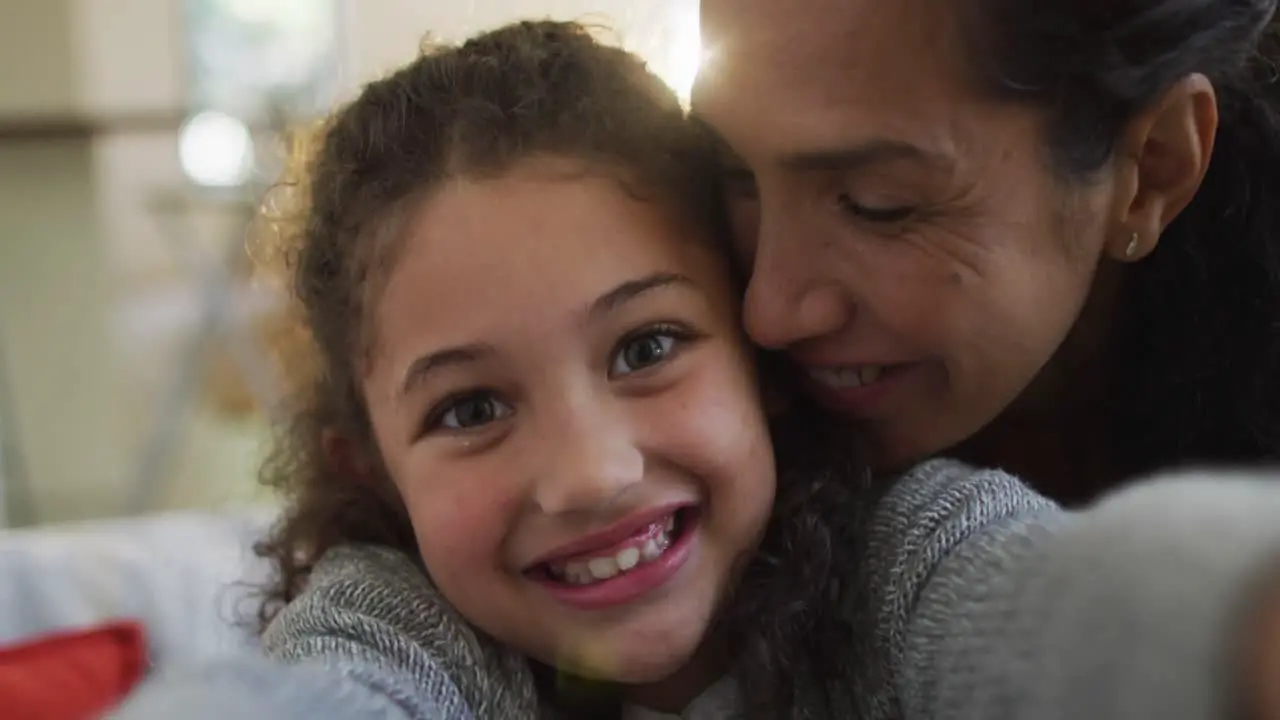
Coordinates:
x,y
74,676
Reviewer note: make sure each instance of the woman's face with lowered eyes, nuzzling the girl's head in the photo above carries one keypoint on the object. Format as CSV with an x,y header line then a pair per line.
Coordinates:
x,y
907,241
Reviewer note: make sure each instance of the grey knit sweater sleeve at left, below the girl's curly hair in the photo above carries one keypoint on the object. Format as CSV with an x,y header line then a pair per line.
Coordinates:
x,y
369,639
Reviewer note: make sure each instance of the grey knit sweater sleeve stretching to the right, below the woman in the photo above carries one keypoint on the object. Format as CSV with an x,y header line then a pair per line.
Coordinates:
x,y
996,604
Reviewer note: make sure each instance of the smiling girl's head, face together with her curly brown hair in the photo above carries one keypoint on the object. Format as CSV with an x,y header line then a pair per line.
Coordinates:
x,y
534,382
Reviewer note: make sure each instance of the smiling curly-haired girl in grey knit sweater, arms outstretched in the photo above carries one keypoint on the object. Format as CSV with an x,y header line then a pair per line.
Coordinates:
x,y
534,477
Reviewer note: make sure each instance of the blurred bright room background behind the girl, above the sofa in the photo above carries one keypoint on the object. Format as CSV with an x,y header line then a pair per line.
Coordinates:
x,y
136,138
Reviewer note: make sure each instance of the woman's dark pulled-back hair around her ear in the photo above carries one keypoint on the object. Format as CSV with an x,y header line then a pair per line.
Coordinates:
x,y
1196,372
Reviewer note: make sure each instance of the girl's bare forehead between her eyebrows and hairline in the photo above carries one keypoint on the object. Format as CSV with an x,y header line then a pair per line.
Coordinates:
x,y
524,254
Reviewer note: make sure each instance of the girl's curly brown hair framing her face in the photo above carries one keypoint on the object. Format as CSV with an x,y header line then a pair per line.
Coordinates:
x,y
332,227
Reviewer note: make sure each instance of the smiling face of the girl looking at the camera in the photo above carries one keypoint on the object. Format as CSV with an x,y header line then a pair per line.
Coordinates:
x,y
564,399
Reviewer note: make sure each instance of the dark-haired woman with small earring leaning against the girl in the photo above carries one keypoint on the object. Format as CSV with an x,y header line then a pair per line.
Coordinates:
x,y
1034,235
